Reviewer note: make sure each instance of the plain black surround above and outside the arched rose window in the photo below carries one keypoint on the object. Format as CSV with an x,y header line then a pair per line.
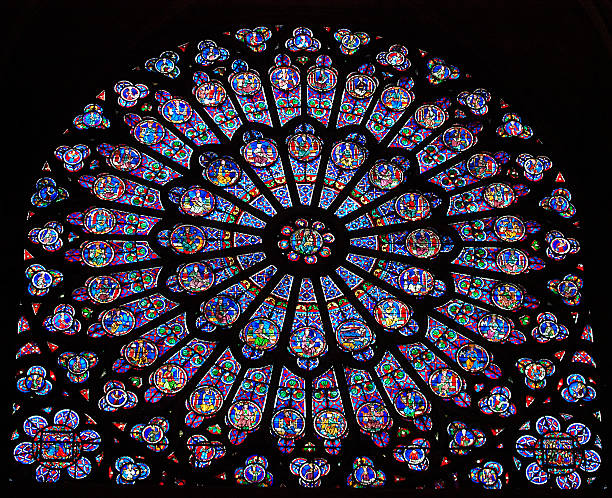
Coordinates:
x,y
550,59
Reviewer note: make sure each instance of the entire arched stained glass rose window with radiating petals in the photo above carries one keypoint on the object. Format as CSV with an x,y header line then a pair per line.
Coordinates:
x,y
304,256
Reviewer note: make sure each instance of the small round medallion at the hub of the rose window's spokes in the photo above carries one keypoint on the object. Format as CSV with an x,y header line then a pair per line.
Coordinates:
x,y
305,239
